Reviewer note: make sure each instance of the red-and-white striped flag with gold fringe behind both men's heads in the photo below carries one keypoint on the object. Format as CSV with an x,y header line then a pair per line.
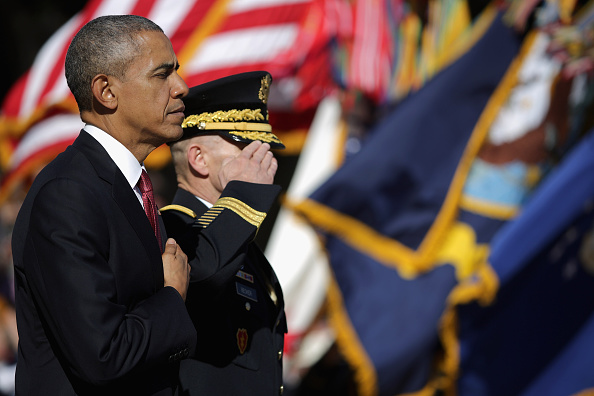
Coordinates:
x,y
212,38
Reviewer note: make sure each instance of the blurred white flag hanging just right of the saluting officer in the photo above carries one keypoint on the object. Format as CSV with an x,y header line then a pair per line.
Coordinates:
x,y
305,280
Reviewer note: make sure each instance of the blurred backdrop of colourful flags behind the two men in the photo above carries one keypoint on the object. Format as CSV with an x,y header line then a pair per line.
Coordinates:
x,y
435,231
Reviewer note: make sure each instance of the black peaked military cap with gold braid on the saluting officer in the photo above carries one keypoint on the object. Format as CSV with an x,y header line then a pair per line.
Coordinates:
x,y
233,107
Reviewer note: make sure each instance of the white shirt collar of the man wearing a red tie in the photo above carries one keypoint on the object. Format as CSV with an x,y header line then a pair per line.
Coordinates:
x,y
122,157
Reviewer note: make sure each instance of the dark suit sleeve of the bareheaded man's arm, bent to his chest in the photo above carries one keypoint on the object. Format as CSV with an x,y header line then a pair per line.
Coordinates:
x,y
72,273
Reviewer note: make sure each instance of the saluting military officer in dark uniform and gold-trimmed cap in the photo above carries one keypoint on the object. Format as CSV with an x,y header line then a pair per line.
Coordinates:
x,y
225,175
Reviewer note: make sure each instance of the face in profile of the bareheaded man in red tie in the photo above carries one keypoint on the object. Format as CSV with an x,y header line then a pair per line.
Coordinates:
x,y
150,96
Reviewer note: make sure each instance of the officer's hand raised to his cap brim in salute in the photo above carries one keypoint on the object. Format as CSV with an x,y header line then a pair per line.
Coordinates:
x,y
255,164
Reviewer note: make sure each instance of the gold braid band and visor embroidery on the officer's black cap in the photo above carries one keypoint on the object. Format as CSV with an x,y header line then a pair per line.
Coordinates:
x,y
236,122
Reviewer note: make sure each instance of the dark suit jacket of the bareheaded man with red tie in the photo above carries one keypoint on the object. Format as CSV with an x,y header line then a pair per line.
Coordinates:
x,y
92,313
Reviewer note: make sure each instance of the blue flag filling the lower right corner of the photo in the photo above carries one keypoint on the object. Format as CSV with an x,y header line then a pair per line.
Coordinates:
x,y
537,336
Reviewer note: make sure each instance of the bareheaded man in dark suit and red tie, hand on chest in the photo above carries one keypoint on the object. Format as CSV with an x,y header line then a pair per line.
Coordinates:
x,y
100,308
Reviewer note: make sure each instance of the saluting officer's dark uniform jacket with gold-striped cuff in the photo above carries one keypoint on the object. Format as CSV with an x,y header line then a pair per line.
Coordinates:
x,y
240,329
